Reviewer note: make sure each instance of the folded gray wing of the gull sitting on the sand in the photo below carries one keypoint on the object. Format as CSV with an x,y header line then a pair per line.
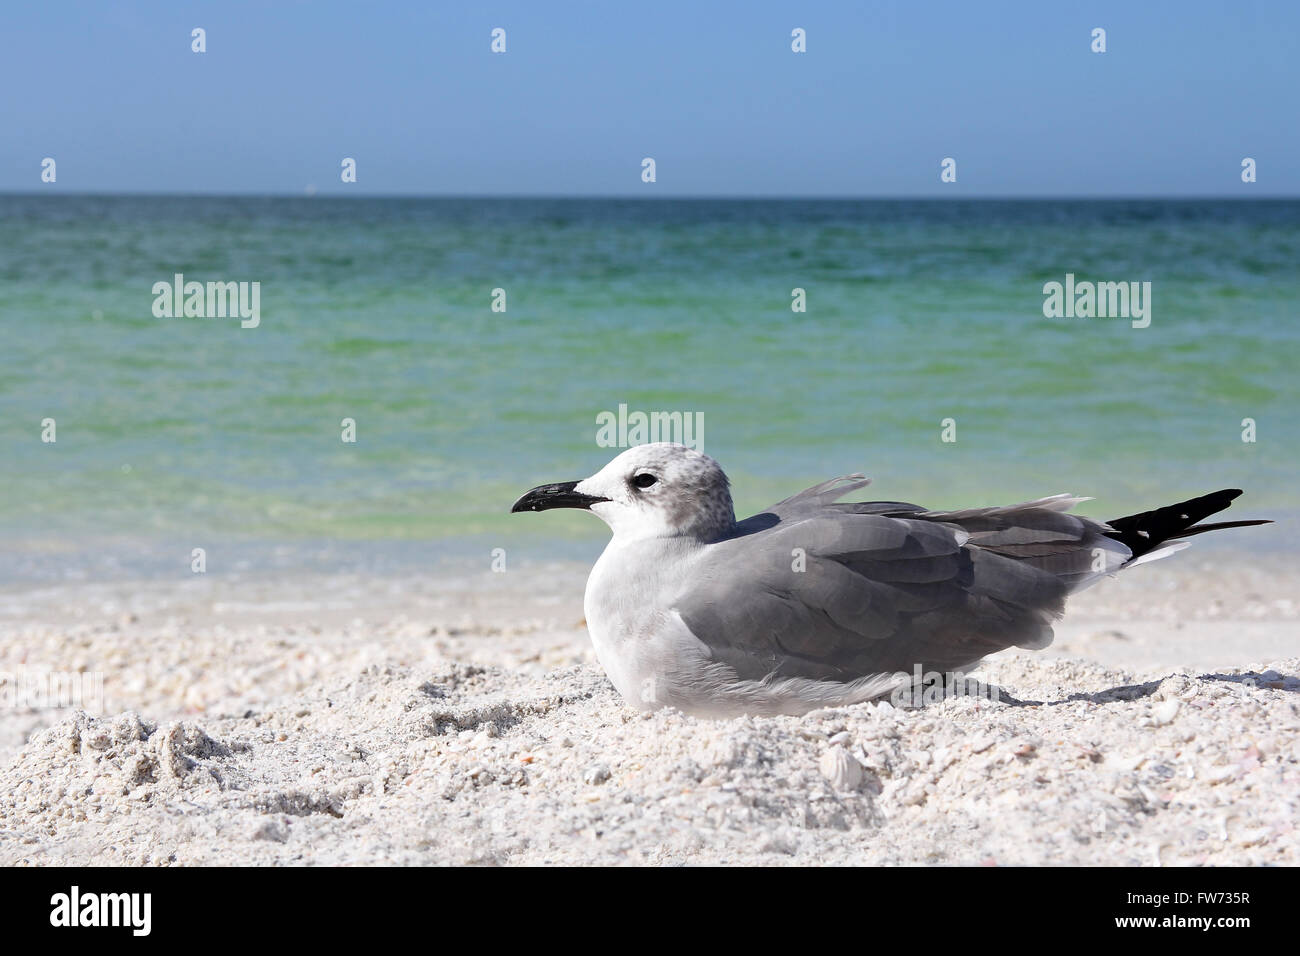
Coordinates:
x,y
831,591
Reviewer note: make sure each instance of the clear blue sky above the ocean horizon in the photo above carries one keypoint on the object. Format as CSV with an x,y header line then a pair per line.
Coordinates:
x,y
712,92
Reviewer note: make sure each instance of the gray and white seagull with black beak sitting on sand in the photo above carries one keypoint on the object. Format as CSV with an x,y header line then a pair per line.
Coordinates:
x,y
818,603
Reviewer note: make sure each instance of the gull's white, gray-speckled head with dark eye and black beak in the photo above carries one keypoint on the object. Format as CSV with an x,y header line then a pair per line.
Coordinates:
x,y
651,491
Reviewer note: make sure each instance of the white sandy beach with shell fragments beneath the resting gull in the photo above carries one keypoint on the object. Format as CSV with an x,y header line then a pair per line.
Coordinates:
x,y
463,720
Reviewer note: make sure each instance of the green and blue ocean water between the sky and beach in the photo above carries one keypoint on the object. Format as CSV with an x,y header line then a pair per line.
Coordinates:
x,y
179,431
